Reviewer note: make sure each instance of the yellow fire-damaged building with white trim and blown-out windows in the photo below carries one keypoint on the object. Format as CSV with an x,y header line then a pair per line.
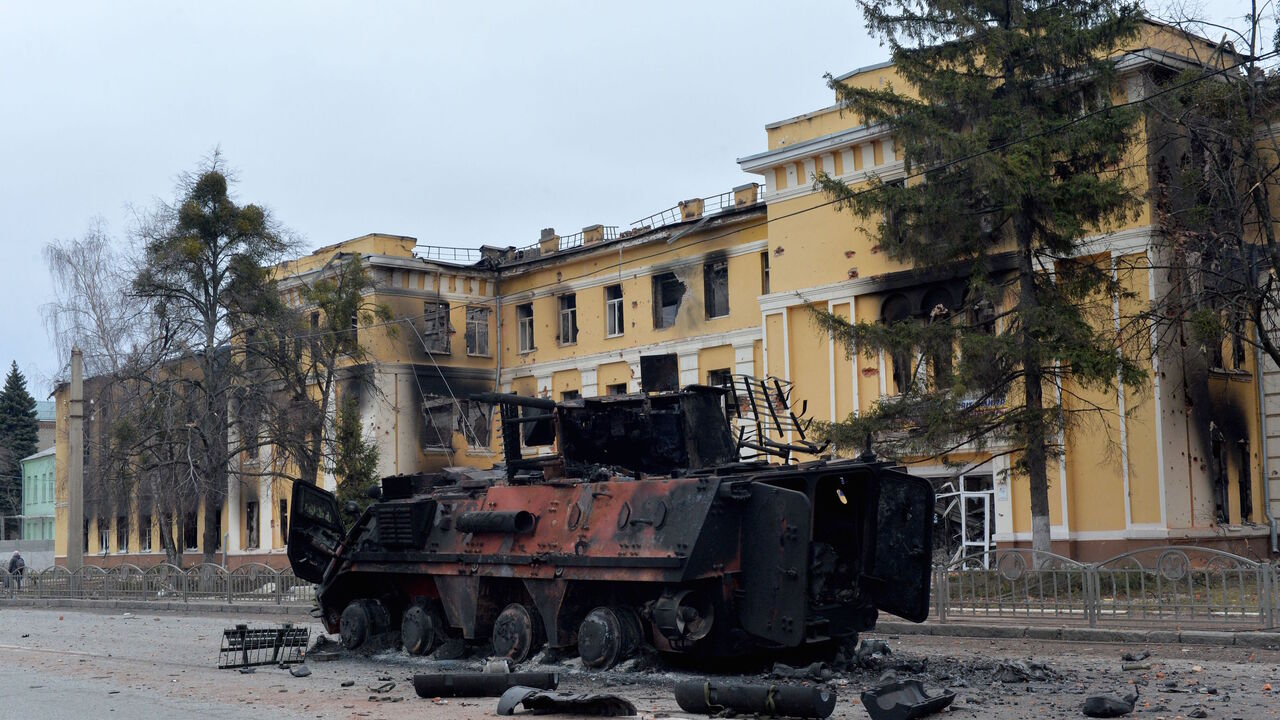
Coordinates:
x,y
726,285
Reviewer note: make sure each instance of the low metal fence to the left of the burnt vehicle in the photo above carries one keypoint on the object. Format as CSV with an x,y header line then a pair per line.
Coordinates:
x,y
253,584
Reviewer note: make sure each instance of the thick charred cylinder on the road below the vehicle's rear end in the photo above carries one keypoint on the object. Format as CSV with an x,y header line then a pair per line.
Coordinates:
x,y
710,698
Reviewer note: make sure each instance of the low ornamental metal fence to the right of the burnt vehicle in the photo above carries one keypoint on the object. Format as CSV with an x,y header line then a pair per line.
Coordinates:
x,y
1176,586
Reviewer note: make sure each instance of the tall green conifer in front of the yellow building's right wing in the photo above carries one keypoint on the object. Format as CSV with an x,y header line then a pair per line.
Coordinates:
x,y
1007,117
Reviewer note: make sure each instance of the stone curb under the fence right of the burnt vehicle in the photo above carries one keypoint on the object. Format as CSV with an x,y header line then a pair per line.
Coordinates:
x,y
1226,639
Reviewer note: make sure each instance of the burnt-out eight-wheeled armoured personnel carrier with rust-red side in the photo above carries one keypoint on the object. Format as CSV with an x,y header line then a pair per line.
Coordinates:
x,y
644,527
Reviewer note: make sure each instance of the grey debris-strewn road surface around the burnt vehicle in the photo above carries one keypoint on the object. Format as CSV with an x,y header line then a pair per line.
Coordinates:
x,y
65,663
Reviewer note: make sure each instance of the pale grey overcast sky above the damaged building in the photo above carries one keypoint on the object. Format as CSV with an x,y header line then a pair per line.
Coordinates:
x,y
460,124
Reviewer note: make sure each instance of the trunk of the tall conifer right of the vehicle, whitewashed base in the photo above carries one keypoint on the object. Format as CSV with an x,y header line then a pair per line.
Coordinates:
x,y
1035,453
